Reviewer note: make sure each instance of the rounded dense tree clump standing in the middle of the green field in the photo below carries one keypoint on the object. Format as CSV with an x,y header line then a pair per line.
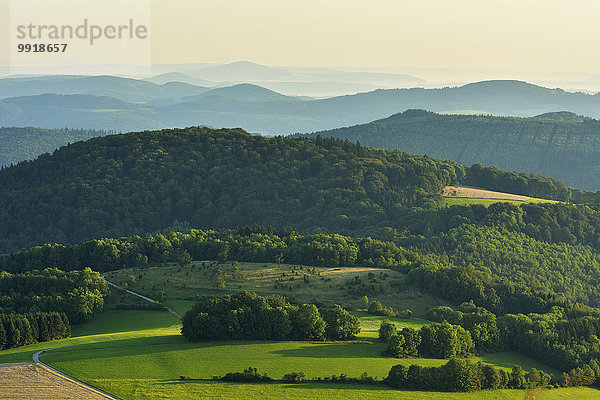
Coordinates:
x,y
246,316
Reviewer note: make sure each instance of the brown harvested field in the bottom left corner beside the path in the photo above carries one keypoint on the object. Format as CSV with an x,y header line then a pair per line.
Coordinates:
x,y
38,382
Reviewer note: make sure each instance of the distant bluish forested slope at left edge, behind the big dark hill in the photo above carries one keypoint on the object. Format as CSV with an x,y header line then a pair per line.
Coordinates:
x,y
21,144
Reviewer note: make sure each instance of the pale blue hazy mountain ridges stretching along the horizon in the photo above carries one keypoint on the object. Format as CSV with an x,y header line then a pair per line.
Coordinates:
x,y
113,103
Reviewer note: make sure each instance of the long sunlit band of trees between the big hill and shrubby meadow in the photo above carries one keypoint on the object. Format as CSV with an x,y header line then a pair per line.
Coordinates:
x,y
251,243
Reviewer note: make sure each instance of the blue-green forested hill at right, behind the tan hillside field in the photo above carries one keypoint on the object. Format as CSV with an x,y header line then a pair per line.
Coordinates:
x,y
562,145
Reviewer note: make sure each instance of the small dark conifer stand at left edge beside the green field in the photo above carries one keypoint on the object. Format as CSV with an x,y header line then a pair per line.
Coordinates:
x,y
22,329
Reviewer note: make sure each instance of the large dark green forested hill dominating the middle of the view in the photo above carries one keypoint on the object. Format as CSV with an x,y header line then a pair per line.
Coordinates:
x,y
137,183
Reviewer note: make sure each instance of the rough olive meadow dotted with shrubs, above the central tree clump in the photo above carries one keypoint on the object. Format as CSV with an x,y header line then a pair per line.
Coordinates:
x,y
182,284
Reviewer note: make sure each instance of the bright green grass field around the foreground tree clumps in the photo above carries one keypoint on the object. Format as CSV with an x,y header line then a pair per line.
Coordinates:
x,y
146,363
